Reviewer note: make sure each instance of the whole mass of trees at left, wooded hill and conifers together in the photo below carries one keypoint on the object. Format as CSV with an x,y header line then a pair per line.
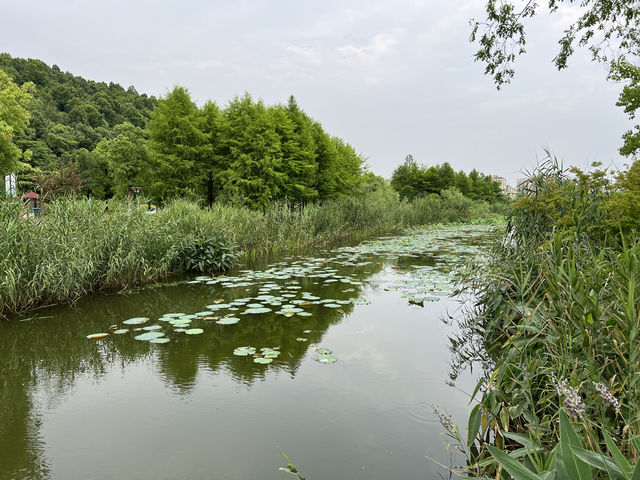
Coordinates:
x,y
112,138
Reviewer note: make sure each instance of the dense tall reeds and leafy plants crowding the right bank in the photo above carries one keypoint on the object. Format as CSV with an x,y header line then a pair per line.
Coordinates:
x,y
556,320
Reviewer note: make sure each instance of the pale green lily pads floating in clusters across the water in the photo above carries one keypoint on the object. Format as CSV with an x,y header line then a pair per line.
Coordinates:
x,y
280,289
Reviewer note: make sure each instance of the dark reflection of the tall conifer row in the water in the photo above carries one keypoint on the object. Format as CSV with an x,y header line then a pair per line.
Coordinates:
x,y
213,349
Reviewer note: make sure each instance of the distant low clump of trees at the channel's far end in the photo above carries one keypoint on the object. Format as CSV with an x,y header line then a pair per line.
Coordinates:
x,y
411,180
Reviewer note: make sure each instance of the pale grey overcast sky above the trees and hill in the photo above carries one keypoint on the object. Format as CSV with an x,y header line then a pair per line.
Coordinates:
x,y
390,77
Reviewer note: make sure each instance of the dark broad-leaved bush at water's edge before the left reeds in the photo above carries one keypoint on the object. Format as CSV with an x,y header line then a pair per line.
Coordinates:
x,y
209,255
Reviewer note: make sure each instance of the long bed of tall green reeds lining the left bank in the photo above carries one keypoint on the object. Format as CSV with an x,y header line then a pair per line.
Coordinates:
x,y
77,248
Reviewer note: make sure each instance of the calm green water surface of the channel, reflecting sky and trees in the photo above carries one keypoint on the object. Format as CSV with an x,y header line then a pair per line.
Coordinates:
x,y
73,408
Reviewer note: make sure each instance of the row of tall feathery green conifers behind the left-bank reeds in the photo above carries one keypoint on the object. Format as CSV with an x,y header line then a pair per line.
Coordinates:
x,y
251,153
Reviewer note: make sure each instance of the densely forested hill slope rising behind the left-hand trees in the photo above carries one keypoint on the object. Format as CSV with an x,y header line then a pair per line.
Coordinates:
x,y
70,114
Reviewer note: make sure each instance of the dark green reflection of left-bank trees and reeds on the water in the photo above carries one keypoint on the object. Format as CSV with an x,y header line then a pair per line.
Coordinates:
x,y
51,354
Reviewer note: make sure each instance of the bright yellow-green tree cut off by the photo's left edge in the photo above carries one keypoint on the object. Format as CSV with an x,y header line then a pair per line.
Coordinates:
x,y
14,118
